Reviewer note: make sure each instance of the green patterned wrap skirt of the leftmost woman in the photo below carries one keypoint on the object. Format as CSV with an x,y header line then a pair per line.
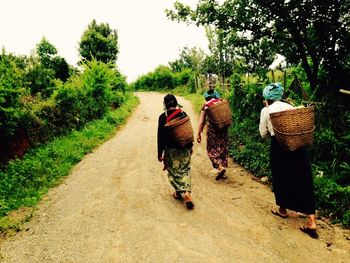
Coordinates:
x,y
177,161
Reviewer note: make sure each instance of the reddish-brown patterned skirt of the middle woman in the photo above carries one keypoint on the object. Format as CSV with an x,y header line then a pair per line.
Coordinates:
x,y
217,145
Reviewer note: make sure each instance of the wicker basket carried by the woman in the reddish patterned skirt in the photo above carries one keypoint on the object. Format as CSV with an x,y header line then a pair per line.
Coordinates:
x,y
220,114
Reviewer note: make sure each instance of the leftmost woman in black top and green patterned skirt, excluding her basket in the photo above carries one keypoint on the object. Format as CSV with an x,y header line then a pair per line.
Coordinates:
x,y
176,158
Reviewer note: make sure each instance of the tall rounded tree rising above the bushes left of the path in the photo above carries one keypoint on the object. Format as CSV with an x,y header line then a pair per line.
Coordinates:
x,y
99,41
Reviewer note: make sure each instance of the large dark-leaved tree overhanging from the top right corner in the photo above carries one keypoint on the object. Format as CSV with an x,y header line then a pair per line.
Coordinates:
x,y
315,33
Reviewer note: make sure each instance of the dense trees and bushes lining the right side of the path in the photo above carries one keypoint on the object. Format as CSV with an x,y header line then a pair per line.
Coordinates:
x,y
313,36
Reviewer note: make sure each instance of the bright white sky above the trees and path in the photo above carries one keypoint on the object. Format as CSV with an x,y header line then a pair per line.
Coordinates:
x,y
146,37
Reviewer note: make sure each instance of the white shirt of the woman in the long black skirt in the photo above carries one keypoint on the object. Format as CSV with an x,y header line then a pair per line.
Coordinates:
x,y
265,126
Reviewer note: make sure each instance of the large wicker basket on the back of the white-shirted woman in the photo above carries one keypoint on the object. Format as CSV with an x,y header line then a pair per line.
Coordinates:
x,y
294,128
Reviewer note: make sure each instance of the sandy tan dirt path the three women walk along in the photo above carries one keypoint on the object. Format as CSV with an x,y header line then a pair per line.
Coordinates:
x,y
116,207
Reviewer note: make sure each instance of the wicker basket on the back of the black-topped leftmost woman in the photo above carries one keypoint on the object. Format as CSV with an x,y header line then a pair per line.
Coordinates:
x,y
180,130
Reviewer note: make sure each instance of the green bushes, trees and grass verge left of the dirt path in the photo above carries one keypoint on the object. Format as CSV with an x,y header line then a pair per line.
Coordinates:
x,y
52,114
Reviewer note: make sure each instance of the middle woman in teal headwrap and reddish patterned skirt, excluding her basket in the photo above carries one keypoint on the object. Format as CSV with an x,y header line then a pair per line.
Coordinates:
x,y
217,139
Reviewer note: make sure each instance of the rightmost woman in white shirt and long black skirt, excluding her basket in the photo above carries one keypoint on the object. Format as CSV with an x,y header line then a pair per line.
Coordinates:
x,y
291,170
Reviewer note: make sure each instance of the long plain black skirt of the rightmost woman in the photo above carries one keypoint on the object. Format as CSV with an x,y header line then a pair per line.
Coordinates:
x,y
292,179
